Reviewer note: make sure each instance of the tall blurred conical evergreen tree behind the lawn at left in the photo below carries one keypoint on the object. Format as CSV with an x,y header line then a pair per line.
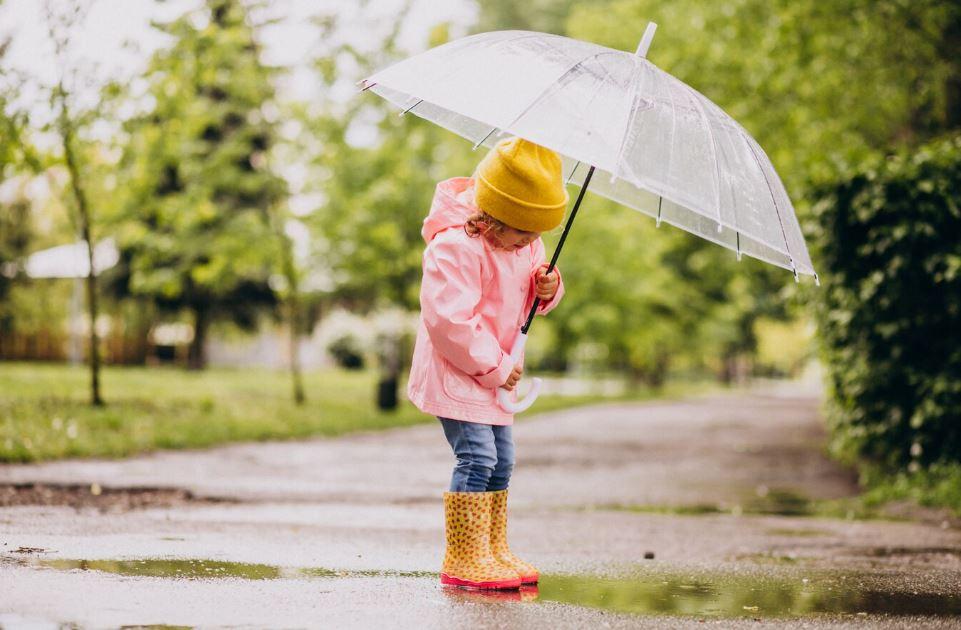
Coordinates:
x,y
197,230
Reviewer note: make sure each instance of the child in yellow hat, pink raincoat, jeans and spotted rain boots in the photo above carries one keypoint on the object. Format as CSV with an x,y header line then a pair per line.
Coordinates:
x,y
483,266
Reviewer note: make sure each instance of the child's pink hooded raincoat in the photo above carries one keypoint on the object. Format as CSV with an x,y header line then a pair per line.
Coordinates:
x,y
473,300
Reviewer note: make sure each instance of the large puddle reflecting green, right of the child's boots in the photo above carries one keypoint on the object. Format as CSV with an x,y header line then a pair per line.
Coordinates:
x,y
741,596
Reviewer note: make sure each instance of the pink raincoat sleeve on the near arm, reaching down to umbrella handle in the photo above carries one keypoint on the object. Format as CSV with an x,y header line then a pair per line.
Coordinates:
x,y
449,298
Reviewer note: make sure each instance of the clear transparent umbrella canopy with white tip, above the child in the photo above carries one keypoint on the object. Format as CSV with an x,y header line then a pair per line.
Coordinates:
x,y
666,150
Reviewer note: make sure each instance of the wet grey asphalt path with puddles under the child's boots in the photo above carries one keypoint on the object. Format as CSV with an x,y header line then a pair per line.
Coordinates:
x,y
348,532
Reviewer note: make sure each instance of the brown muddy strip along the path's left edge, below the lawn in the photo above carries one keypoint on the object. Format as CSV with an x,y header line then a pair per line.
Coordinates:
x,y
103,498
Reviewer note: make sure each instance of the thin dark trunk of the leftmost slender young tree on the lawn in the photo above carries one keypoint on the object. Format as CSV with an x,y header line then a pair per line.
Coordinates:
x,y
83,208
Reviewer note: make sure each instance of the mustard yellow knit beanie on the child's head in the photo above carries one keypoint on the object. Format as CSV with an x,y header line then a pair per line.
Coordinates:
x,y
519,183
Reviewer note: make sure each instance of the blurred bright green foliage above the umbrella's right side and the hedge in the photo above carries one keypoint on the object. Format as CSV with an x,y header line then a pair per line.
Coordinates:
x,y
813,82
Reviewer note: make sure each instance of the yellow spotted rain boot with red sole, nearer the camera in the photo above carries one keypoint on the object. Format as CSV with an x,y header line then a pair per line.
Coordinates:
x,y
468,561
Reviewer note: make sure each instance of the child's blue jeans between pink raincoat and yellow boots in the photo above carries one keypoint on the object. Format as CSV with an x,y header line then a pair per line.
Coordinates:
x,y
485,455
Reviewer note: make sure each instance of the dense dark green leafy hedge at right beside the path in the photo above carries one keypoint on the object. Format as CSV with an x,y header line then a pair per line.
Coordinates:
x,y
889,311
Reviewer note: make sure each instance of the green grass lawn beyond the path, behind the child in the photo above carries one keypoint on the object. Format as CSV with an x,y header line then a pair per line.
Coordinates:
x,y
44,412
